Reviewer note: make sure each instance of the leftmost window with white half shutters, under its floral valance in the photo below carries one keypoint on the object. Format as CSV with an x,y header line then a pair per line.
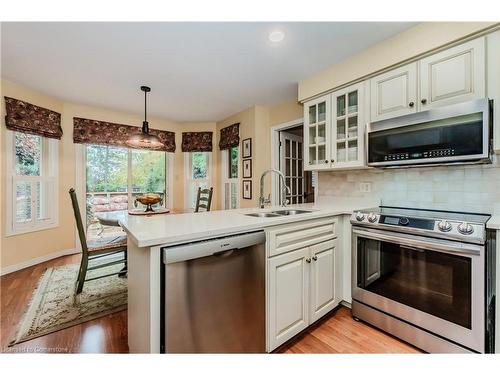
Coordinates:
x,y
31,183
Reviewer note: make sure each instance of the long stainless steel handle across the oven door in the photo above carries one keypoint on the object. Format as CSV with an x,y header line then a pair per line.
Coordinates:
x,y
458,248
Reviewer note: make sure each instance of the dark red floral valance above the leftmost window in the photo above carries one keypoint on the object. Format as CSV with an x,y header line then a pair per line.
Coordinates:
x,y
29,118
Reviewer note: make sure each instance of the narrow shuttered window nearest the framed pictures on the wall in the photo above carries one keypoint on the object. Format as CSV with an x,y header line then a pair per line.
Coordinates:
x,y
230,191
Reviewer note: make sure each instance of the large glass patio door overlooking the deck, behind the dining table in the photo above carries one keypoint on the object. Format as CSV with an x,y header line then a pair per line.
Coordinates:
x,y
115,176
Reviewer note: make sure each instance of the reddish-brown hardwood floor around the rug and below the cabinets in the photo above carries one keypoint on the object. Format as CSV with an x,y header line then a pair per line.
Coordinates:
x,y
337,333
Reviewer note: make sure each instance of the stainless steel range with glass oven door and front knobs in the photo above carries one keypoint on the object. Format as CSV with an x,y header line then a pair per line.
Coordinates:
x,y
427,289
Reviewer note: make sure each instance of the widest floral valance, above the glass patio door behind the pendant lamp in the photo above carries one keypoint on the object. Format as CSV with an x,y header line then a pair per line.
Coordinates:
x,y
108,133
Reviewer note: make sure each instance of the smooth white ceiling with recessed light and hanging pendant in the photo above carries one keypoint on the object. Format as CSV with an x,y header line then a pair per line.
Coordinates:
x,y
197,71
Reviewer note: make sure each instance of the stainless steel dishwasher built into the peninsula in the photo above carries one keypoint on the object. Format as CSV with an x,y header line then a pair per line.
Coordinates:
x,y
214,295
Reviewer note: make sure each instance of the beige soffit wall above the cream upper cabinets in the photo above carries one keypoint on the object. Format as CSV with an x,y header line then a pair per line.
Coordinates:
x,y
408,44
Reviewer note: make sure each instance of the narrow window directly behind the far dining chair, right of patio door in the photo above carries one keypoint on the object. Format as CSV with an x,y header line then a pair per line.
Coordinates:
x,y
197,172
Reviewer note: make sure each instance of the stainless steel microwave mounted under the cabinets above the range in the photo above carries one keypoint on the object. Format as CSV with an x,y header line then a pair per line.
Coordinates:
x,y
457,133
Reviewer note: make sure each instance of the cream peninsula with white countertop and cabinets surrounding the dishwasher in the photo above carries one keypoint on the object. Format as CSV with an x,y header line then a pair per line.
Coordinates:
x,y
314,225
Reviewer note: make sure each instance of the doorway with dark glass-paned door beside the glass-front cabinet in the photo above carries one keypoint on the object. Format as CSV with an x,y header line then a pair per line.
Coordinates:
x,y
288,158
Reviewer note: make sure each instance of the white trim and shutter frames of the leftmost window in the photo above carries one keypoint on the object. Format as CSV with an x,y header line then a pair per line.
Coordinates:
x,y
51,156
